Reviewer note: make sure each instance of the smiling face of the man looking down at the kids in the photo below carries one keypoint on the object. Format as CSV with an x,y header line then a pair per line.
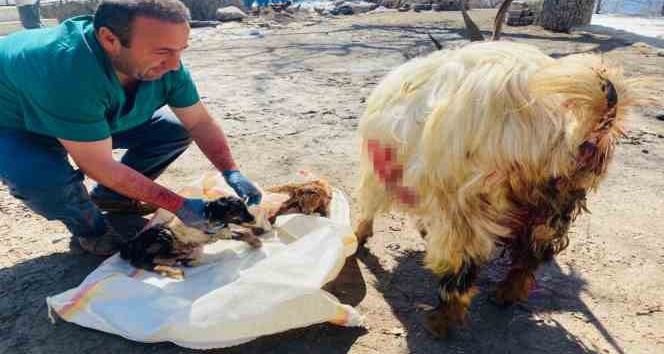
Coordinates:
x,y
154,49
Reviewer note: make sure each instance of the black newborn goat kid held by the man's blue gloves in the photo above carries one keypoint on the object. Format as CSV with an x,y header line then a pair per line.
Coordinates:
x,y
162,247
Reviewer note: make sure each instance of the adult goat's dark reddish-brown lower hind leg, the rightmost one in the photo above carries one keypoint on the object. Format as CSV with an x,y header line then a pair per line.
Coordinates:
x,y
520,279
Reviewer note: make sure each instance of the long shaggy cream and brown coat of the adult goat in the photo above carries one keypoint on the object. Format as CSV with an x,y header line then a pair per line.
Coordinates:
x,y
498,141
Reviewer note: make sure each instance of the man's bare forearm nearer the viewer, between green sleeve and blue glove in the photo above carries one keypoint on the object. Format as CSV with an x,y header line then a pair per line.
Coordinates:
x,y
96,160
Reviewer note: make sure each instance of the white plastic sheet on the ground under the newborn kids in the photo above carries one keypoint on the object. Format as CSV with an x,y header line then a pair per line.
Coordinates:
x,y
237,295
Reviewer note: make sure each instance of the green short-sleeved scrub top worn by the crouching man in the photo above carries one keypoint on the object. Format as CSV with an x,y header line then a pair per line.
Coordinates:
x,y
59,82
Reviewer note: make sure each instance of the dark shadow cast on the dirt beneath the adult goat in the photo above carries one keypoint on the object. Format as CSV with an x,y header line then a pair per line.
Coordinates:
x,y
523,328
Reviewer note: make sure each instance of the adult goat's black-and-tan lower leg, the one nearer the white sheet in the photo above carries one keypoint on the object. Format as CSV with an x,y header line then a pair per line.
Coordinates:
x,y
455,292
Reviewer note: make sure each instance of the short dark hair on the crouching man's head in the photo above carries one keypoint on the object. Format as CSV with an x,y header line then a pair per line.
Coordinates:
x,y
118,15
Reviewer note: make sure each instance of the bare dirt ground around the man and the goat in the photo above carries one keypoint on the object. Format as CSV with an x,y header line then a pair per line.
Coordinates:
x,y
291,99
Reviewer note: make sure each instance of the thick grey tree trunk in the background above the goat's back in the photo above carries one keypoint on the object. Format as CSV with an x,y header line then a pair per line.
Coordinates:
x,y
562,15
